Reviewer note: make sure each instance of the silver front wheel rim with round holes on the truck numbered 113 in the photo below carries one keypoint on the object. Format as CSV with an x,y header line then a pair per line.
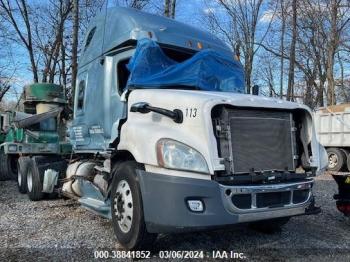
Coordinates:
x,y
123,206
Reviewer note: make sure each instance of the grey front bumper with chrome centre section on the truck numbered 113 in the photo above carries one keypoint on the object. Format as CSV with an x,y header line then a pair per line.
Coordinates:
x,y
165,202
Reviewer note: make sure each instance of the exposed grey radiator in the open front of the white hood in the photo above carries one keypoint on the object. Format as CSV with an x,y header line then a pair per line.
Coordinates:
x,y
260,140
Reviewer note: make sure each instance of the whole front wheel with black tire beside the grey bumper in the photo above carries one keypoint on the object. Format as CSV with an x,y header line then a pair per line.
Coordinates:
x,y
127,210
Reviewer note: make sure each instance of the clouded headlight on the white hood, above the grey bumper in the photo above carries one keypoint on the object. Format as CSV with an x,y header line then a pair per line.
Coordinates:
x,y
175,155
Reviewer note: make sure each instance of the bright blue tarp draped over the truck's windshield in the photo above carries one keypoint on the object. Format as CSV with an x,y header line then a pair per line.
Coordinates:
x,y
206,70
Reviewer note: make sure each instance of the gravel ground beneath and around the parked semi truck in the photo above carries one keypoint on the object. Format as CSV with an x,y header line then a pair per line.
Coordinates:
x,y
61,230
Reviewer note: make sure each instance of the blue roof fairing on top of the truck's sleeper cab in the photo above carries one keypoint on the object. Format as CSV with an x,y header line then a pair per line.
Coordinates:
x,y
125,24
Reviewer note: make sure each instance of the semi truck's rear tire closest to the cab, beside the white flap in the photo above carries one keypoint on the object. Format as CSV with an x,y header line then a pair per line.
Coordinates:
x,y
34,182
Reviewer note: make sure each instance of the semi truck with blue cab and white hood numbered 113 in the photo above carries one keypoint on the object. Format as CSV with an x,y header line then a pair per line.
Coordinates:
x,y
165,138
